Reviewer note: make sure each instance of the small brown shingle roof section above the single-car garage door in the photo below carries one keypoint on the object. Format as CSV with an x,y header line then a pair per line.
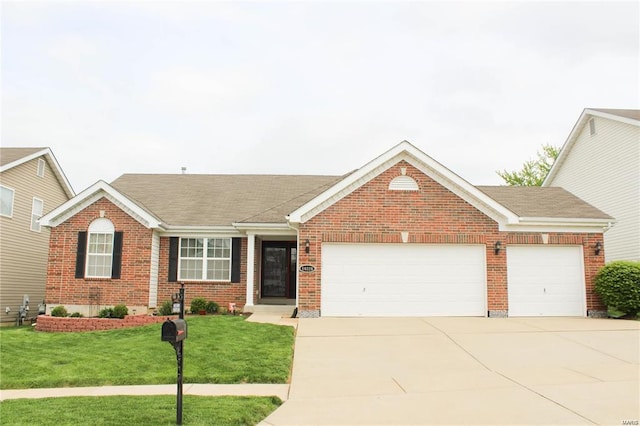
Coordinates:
x,y
534,201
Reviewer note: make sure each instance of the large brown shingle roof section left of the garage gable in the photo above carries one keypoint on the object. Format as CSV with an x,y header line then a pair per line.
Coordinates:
x,y
220,200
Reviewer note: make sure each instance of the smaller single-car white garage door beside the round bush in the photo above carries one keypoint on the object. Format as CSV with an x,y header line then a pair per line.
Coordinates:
x,y
545,280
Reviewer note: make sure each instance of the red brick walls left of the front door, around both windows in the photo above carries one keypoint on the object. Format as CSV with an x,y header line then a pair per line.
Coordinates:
x,y
132,288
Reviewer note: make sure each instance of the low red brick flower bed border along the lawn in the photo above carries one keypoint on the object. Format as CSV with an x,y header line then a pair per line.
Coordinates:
x,y
59,324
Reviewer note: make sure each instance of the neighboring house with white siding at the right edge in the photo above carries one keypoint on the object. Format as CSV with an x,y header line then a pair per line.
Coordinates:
x,y
600,163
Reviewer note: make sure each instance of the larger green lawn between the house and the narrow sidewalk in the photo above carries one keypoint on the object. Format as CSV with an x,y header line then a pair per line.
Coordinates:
x,y
218,349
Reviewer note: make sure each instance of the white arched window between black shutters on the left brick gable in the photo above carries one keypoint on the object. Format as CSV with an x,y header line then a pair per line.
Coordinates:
x,y
100,249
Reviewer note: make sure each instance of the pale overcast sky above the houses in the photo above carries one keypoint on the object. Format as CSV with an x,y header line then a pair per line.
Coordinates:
x,y
307,87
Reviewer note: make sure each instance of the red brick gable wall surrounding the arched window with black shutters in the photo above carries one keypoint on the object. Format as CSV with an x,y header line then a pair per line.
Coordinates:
x,y
131,289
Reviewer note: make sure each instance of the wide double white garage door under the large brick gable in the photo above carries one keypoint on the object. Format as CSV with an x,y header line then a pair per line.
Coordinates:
x,y
403,280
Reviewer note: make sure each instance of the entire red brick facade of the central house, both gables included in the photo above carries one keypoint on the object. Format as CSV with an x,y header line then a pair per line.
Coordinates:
x,y
370,214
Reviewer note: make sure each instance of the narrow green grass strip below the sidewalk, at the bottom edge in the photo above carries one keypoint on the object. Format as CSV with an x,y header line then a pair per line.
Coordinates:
x,y
137,410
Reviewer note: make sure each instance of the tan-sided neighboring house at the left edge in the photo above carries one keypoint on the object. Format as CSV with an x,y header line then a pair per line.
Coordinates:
x,y
31,184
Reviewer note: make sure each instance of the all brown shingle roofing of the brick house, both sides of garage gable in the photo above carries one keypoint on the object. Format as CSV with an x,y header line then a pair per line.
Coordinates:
x,y
220,200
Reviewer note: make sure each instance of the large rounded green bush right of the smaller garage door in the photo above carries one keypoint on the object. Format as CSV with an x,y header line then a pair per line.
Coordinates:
x,y
618,285
